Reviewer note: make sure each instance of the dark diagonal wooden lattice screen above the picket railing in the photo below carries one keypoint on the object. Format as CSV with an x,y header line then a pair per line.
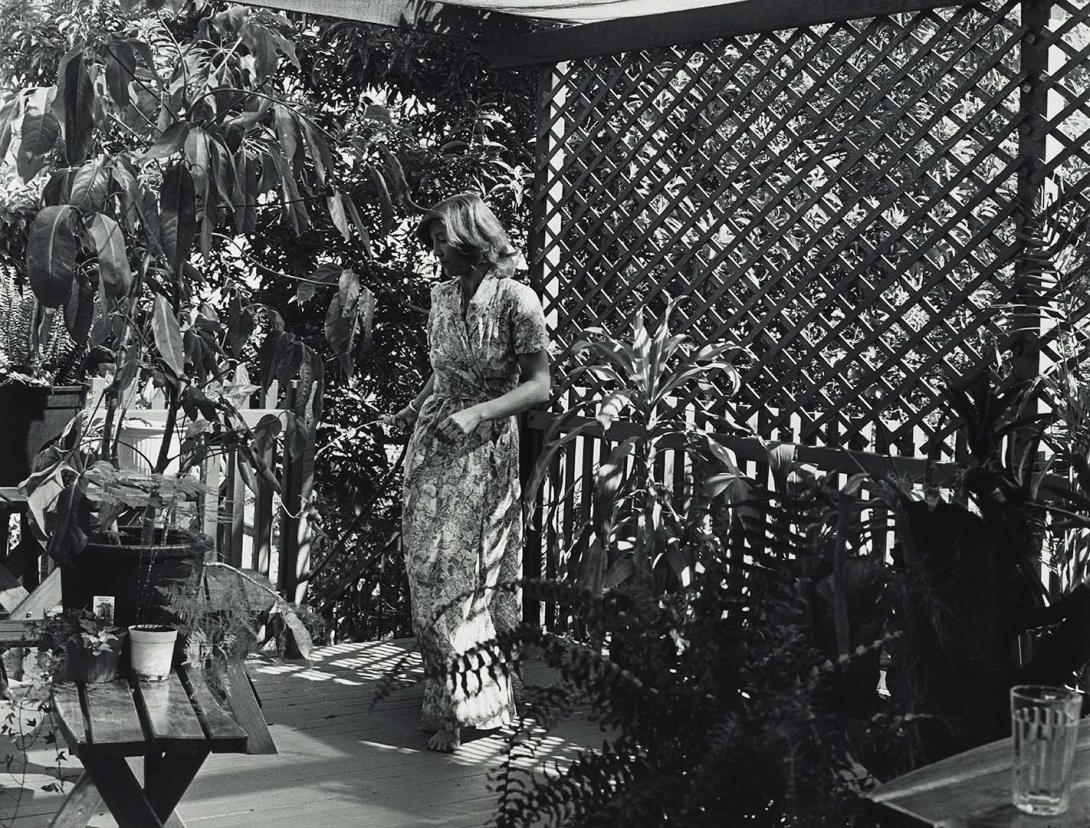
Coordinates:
x,y
840,200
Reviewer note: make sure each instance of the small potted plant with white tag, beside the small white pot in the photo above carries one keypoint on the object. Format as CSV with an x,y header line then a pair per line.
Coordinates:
x,y
91,646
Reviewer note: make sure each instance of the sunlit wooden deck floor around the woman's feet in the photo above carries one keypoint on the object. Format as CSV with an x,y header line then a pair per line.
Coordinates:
x,y
337,765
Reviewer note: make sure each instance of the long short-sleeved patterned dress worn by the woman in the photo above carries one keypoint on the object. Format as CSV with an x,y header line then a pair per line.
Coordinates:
x,y
463,520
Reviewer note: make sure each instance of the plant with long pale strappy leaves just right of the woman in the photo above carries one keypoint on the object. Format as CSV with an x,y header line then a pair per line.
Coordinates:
x,y
636,533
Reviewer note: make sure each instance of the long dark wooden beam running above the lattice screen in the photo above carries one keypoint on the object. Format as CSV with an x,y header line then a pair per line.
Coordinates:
x,y
695,26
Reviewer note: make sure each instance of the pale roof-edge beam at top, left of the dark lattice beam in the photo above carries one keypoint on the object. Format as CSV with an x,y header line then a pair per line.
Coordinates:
x,y
420,16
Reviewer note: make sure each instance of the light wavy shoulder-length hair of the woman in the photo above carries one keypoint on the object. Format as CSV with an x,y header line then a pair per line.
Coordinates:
x,y
473,229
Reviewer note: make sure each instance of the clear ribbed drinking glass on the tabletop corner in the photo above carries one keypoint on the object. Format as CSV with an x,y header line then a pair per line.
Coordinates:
x,y
1046,724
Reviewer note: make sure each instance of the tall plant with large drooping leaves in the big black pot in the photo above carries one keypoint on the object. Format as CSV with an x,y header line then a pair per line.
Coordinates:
x,y
162,148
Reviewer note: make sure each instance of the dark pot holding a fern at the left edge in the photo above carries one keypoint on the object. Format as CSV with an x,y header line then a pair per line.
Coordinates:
x,y
31,418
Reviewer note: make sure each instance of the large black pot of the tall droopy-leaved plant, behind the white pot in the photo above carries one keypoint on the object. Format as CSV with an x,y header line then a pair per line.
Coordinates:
x,y
134,574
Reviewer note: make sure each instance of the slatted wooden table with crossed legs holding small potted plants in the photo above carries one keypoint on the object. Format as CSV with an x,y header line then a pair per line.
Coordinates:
x,y
174,725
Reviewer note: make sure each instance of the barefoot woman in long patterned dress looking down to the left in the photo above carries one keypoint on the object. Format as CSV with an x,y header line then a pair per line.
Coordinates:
x,y
462,529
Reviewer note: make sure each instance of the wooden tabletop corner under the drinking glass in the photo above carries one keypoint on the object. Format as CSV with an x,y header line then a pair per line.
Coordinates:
x,y
973,789
